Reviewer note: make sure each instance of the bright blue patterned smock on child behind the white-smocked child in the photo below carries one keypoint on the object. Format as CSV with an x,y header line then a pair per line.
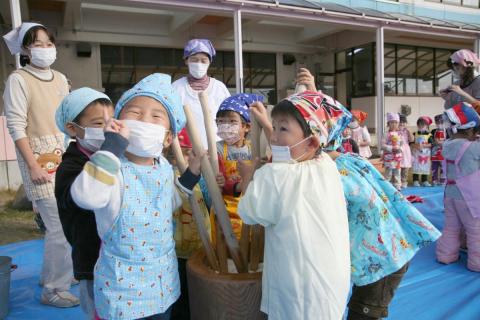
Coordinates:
x,y
385,229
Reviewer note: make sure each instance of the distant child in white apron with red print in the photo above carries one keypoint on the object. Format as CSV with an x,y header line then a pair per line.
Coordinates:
x,y
421,152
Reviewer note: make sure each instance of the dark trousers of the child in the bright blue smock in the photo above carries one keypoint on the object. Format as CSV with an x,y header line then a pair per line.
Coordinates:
x,y
371,301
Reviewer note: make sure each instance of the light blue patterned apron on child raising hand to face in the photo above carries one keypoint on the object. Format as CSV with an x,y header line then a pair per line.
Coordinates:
x,y
136,274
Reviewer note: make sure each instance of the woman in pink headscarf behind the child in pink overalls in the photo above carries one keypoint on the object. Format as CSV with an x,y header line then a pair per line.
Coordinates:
x,y
466,87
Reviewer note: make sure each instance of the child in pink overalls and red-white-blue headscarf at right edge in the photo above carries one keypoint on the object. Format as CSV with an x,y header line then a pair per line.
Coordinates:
x,y
462,203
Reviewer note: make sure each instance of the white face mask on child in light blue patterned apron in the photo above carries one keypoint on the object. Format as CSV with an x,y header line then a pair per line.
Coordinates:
x,y
145,139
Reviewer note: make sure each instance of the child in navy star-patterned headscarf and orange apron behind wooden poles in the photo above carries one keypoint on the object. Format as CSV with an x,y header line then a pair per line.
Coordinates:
x,y
233,124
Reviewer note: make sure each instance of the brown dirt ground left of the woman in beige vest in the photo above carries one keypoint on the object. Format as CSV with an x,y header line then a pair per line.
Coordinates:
x,y
15,225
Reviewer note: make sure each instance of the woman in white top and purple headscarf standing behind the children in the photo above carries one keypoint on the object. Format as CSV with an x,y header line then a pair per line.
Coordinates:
x,y
198,55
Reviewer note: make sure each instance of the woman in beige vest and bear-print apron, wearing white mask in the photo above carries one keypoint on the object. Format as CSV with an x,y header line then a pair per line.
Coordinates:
x,y
31,97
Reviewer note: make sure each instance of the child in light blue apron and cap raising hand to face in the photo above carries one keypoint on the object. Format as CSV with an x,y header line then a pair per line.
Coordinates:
x,y
131,188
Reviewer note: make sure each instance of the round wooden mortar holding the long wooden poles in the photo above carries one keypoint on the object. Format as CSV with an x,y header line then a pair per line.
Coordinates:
x,y
219,296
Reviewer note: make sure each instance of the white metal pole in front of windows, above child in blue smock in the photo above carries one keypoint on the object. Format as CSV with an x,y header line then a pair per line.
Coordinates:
x,y
380,110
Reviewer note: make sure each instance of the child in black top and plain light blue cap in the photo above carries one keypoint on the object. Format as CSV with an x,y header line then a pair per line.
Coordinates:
x,y
80,116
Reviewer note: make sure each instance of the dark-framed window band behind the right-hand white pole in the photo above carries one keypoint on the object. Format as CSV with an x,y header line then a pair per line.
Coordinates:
x,y
409,70
